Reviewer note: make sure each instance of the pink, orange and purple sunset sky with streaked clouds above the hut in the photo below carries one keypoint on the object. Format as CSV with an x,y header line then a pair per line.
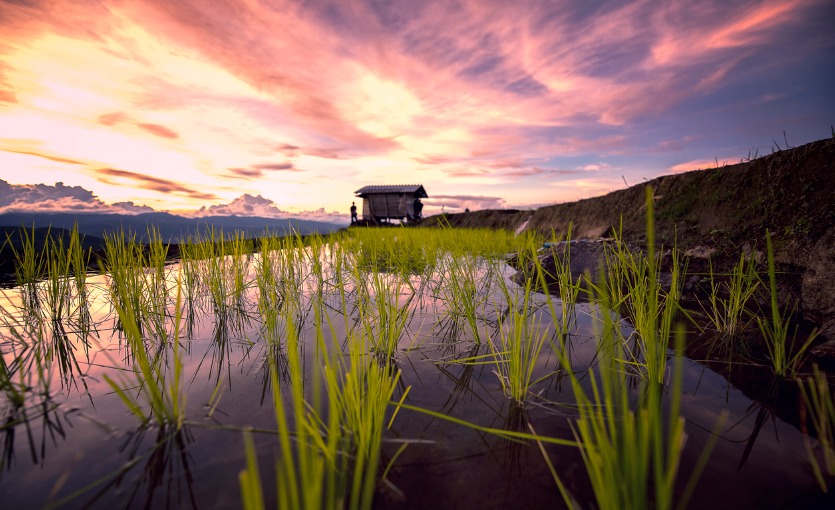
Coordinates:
x,y
266,107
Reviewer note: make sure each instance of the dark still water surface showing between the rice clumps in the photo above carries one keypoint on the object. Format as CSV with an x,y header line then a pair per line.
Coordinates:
x,y
77,445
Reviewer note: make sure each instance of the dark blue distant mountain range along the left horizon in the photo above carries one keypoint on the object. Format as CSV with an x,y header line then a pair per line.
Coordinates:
x,y
171,227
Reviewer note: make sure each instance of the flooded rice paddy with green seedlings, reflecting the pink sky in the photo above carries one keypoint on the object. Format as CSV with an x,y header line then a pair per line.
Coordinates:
x,y
80,427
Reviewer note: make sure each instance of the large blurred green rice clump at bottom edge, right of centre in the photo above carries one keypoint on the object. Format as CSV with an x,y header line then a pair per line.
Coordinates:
x,y
631,454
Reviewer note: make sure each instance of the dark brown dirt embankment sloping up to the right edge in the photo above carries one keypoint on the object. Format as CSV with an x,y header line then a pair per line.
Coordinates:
x,y
723,211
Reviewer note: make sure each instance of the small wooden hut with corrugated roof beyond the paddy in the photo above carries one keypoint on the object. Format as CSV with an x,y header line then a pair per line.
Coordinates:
x,y
387,202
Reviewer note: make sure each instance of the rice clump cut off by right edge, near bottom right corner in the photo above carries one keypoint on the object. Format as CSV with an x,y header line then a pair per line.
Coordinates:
x,y
817,406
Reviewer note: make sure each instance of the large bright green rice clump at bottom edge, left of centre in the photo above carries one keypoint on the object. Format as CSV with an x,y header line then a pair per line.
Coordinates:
x,y
329,450
